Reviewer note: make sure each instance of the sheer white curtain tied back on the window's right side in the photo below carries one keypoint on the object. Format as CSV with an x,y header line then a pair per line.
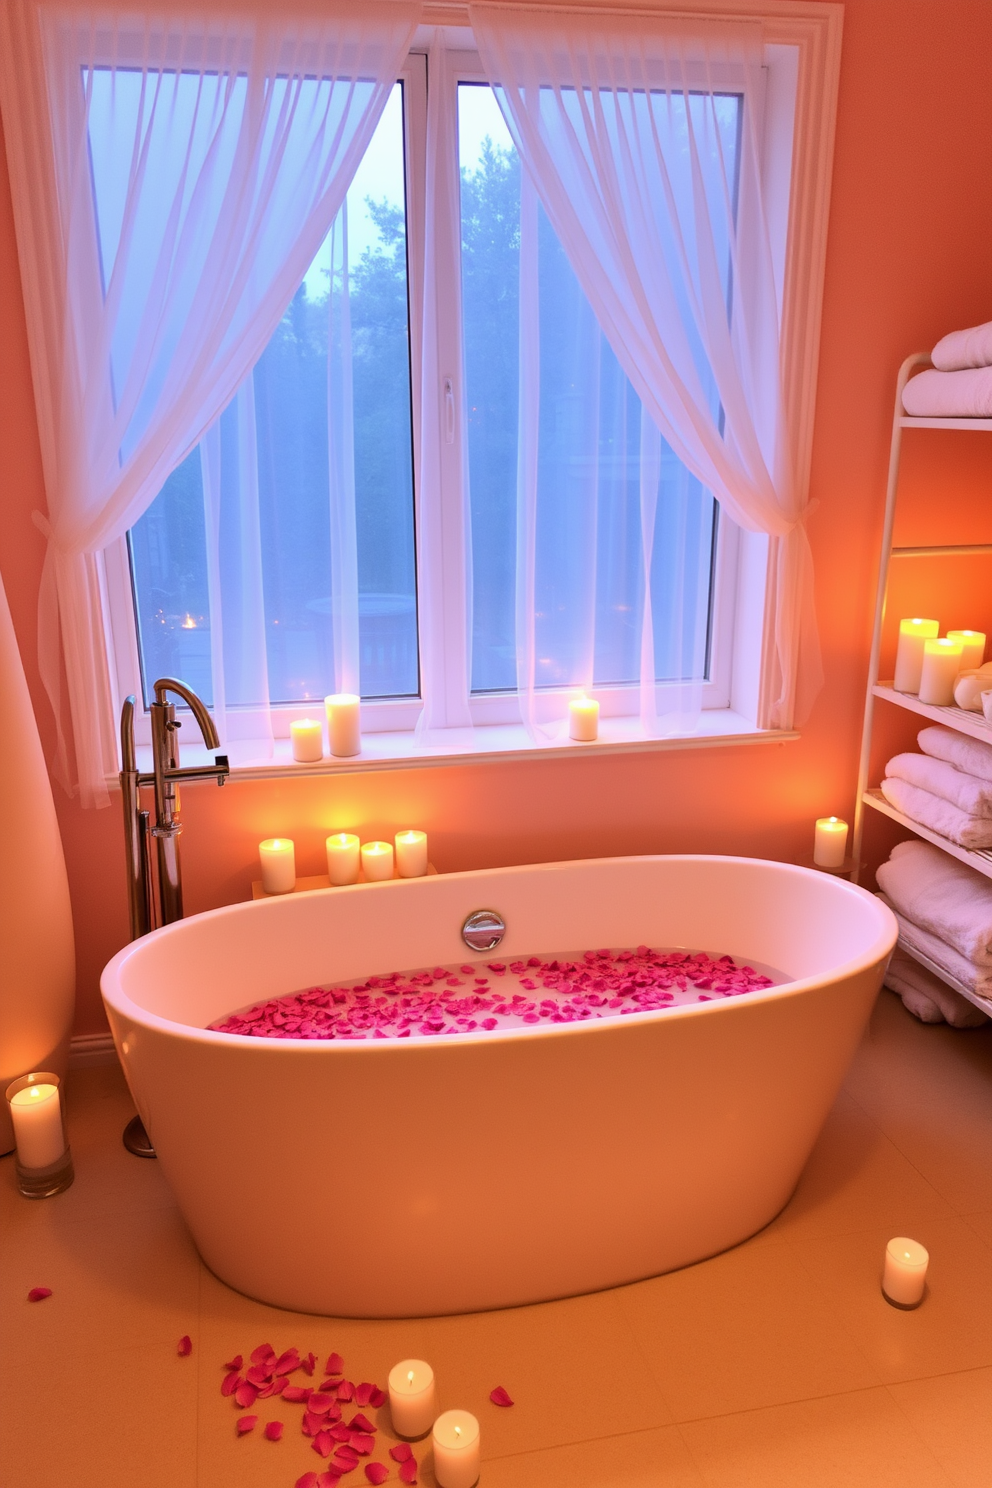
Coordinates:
x,y
621,123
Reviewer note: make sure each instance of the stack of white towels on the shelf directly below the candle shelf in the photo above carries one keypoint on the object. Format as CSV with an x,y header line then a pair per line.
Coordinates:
x,y
948,788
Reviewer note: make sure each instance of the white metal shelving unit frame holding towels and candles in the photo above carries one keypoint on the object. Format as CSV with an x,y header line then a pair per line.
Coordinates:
x,y
972,724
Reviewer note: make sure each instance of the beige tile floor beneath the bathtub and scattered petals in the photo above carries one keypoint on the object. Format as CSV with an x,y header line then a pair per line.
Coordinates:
x,y
777,1364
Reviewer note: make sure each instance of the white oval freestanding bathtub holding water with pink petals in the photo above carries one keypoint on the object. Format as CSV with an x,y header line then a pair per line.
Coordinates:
x,y
393,1179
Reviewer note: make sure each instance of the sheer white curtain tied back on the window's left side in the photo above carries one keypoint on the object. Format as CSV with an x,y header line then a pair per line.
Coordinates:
x,y
237,133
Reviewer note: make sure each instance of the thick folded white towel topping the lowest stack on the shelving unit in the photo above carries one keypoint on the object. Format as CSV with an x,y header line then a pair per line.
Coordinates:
x,y
944,897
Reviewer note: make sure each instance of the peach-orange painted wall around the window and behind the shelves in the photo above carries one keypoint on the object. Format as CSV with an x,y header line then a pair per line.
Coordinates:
x,y
909,258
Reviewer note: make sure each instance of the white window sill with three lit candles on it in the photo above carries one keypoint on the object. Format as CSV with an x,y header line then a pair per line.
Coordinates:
x,y
484,745
